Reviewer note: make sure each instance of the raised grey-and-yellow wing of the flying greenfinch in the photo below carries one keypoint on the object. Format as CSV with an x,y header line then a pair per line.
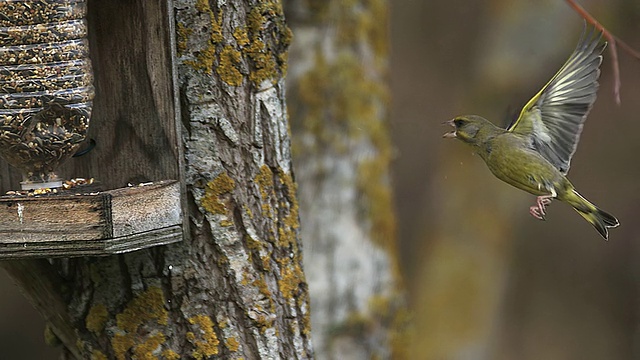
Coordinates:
x,y
553,118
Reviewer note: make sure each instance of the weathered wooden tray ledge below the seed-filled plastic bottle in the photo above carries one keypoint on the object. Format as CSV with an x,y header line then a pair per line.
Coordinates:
x,y
90,224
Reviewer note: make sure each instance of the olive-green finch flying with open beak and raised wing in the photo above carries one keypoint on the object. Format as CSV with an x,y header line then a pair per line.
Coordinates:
x,y
534,152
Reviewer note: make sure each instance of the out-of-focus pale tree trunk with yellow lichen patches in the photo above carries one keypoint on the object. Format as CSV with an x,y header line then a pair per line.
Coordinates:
x,y
338,102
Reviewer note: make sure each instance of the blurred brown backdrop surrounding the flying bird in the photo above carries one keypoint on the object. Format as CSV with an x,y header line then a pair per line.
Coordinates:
x,y
485,279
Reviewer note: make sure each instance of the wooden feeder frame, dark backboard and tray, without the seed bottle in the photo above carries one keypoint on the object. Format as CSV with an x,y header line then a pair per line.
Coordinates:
x,y
135,124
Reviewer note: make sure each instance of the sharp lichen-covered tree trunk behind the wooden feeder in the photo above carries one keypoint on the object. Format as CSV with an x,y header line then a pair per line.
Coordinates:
x,y
235,289
